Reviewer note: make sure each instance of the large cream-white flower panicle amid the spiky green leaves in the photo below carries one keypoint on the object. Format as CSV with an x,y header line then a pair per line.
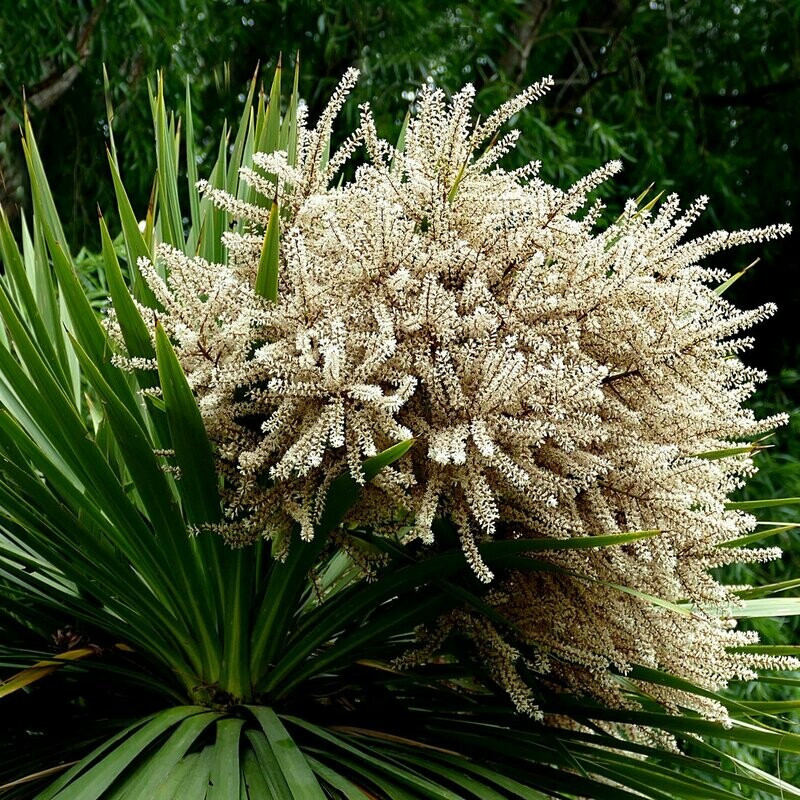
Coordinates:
x,y
562,379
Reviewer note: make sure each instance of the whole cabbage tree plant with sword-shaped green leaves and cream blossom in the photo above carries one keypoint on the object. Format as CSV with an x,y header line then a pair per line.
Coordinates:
x,y
402,486
